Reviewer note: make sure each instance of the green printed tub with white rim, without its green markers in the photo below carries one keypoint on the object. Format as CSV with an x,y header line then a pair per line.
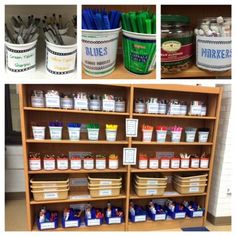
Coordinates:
x,y
139,52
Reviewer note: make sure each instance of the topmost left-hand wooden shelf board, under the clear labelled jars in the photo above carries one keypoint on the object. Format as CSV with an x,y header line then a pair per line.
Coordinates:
x,y
76,111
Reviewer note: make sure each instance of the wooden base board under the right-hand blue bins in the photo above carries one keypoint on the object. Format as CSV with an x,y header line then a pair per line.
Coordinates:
x,y
168,224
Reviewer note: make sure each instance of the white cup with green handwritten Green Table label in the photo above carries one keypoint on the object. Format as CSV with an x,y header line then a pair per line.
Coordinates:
x,y
21,58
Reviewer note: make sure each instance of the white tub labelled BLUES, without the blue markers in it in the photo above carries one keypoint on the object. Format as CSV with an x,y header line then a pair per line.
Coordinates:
x,y
99,50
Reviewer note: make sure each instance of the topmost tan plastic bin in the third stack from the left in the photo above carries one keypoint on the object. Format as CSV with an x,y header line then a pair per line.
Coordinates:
x,y
152,179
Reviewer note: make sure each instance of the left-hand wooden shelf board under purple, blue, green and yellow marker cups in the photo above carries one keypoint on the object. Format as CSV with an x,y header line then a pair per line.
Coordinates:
x,y
75,142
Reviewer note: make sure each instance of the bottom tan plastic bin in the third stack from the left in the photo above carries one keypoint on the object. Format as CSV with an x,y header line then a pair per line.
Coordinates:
x,y
149,190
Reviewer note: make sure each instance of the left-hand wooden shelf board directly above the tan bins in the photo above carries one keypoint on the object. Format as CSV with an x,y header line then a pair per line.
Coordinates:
x,y
82,171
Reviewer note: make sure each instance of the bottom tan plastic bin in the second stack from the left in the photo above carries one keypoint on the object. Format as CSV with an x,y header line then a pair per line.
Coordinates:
x,y
110,191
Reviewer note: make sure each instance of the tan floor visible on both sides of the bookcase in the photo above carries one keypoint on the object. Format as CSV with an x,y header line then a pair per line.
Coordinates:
x,y
15,209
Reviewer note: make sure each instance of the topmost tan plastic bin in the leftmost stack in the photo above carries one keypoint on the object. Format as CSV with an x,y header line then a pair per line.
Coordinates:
x,y
51,181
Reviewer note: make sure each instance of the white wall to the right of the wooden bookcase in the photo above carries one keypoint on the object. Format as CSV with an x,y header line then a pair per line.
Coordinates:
x,y
220,199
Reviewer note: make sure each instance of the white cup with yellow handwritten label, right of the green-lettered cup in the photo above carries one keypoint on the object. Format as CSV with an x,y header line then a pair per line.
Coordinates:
x,y
61,59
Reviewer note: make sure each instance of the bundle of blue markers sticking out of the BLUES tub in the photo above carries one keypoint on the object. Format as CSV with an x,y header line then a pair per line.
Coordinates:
x,y
100,19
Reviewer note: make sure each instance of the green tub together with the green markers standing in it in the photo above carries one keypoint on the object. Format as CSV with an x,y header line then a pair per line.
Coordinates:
x,y
139,41
